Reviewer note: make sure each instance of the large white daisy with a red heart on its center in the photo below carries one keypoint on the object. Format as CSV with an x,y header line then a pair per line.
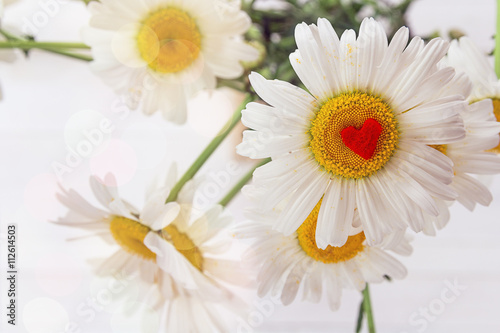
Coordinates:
x,y
359,139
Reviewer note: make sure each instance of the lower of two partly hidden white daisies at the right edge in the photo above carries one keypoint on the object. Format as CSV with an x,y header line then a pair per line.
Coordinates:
x,y
471,155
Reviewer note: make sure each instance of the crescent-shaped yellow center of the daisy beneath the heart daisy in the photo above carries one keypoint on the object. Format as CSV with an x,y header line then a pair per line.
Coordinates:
x,y
332,254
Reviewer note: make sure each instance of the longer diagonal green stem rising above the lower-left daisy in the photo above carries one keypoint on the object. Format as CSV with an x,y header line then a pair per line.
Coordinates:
x,y
197,164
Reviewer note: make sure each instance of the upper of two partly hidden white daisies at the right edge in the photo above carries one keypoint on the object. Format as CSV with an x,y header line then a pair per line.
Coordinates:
x,y
466,57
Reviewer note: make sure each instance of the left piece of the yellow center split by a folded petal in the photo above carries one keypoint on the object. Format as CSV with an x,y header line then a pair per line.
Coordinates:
x,y
130,234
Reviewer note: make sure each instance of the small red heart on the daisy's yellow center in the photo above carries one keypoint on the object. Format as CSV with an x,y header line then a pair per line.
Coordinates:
x,y
363,141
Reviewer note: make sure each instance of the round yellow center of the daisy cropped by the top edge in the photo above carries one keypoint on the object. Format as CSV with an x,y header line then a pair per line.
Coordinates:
x,y
169,40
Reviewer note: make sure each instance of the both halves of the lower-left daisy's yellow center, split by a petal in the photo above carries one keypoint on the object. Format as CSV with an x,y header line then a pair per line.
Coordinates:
x,y
130,234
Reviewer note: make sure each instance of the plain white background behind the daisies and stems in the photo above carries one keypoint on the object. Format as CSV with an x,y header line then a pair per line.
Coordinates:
x,y
49,100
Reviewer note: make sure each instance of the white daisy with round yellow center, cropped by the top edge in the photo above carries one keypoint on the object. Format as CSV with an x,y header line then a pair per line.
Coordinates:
x,y
161,52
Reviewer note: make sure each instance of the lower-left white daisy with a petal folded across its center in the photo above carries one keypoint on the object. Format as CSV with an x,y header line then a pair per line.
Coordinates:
x,y
172,248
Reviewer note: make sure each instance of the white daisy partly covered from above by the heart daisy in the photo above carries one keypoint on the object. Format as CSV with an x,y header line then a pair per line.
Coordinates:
x,y
287,262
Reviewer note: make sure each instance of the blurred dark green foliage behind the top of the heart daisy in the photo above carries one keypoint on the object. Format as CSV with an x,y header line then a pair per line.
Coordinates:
x,y
275,29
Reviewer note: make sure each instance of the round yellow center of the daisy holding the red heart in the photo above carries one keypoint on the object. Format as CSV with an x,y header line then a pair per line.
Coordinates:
x,y
338,114
